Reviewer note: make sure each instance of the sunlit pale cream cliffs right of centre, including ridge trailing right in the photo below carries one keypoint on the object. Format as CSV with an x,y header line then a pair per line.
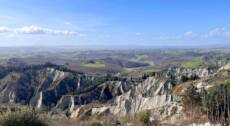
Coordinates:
x,y
155,92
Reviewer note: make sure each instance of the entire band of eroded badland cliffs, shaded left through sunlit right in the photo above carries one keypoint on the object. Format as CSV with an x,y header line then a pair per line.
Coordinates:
x,y
54,87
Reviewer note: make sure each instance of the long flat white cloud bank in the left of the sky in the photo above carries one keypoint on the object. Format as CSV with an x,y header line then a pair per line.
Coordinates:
x,y
36,30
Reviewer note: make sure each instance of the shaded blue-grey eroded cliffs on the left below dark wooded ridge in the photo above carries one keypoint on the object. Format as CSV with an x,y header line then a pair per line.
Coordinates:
x,y
50,86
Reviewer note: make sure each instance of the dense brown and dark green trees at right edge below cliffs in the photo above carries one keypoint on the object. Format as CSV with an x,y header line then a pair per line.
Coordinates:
x,y
214,103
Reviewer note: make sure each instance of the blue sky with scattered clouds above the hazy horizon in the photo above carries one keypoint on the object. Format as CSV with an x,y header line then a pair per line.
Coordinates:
x,y
114,22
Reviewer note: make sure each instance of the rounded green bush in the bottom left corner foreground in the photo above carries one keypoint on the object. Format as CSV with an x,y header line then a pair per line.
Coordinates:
x,y
24,117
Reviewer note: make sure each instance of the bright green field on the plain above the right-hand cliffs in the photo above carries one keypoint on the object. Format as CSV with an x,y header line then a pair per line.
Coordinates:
x,y
192,64
